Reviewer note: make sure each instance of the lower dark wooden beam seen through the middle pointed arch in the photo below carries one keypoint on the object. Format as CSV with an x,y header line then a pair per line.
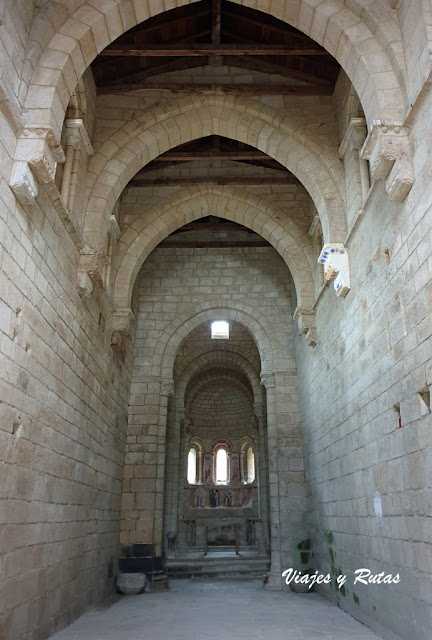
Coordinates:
x,y
224,180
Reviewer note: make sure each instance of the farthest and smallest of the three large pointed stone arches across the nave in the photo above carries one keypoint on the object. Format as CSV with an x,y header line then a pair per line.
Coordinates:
x,y
236,205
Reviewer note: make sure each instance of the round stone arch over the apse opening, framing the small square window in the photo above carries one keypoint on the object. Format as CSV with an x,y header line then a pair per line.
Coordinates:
x,y
267,339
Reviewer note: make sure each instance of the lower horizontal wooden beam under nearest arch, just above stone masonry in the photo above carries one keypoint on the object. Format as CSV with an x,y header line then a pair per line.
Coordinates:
x,y
219,89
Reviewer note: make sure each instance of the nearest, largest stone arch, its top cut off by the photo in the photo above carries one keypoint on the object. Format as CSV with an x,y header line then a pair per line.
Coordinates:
x,y
357,37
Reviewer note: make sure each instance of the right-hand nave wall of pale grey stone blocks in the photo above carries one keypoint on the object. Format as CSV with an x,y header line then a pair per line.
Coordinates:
x,y
372,366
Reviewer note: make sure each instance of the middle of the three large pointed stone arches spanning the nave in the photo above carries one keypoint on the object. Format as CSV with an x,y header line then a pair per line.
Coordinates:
x,y
281,136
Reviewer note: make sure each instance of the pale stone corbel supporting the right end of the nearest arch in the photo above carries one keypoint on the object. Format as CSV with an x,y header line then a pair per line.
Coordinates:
x,y
388,151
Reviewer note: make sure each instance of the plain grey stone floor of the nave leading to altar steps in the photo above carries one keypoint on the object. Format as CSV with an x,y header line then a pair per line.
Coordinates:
x,y
220,609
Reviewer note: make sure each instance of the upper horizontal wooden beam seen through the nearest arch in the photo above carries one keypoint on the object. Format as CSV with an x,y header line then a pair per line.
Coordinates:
x,y
210,49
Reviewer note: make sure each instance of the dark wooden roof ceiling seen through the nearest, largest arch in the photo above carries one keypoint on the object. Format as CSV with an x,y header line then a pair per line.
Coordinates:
x,y
215,32
